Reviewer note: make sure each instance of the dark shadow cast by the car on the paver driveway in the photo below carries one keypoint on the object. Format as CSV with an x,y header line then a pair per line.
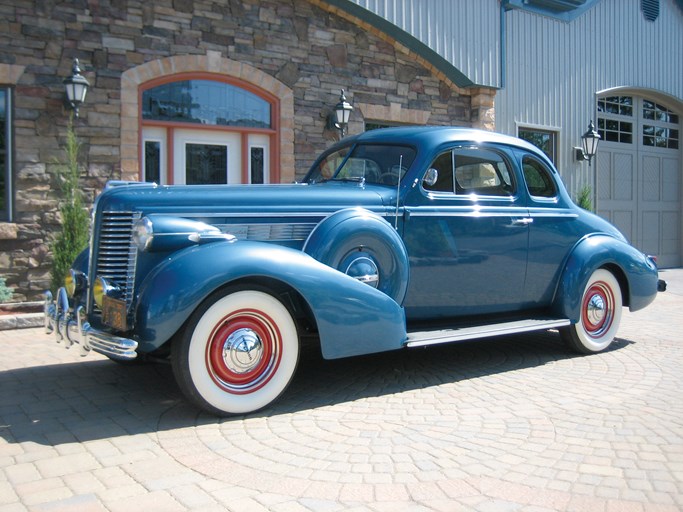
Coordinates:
x,y
93,400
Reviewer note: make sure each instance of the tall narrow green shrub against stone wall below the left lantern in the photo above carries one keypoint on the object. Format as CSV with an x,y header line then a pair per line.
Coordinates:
x,y
73,237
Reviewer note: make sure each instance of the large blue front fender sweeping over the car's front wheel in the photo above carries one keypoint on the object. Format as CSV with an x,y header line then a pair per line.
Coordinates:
x,y
352,318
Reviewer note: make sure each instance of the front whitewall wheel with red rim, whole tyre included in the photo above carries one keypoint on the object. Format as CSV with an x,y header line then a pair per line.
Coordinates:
x,y
238,352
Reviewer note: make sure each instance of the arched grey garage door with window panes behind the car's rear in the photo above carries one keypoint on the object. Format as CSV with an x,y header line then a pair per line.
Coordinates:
x,y
639,174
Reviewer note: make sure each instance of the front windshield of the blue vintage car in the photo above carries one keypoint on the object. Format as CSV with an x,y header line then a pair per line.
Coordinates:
x,y
383,164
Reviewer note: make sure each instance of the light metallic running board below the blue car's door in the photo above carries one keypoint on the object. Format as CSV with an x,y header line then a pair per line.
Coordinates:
x,y
423,338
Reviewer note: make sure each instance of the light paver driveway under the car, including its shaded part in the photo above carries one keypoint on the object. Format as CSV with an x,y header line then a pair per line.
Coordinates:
x,y
515,423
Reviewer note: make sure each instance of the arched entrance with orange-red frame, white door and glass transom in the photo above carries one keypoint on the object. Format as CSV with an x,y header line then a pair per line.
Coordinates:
x,y
205,129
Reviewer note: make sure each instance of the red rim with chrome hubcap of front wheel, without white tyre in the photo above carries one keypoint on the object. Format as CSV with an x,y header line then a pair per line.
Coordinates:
x,y
244,351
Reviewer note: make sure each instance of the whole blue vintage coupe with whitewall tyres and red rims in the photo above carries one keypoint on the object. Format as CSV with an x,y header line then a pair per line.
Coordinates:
x,y
396,238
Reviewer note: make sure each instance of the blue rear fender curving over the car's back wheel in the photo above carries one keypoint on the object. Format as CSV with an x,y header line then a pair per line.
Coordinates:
x,y
636,273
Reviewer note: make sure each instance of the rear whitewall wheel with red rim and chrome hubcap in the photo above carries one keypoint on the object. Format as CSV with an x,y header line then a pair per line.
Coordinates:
x,y
601,305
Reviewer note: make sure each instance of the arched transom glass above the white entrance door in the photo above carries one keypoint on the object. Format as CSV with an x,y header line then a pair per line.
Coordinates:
x,y
206,102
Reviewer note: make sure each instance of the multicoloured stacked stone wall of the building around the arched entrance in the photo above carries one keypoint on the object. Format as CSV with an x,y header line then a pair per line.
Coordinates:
x,y
304,44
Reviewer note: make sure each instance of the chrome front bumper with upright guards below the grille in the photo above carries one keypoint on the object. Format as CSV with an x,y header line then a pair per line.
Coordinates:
x,y
71,327
